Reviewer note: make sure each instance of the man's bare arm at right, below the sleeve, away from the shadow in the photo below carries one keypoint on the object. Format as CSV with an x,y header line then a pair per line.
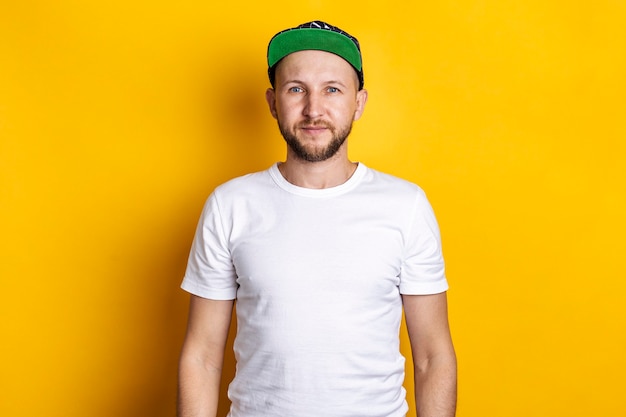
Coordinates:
x,y
434,359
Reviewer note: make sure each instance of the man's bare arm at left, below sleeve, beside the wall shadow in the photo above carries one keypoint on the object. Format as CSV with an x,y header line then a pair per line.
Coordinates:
x,y
202,355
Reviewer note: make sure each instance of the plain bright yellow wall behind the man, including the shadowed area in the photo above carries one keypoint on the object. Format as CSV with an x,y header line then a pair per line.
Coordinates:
x,y
117,119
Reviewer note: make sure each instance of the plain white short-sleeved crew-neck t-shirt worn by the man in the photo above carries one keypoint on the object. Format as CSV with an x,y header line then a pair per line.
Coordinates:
x,y
317,275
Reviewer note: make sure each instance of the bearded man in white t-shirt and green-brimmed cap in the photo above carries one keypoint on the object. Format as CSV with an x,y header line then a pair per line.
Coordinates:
x,y
321,254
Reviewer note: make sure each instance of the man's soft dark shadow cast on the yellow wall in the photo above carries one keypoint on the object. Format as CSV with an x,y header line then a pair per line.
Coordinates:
x,y
239,95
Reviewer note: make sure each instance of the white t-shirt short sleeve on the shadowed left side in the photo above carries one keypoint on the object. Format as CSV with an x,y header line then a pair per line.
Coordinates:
x,y
210,272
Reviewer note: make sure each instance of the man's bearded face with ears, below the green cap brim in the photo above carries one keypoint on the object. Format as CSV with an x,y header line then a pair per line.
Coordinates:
x,y
315,101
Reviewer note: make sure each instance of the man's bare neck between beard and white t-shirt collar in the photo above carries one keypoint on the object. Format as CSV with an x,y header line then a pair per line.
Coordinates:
x,y
324,174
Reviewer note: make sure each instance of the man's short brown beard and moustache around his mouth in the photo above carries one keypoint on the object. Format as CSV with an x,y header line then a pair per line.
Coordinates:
x,y
315,153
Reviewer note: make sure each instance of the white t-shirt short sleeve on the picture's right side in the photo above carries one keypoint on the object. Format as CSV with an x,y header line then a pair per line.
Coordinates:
x,y
423,270
